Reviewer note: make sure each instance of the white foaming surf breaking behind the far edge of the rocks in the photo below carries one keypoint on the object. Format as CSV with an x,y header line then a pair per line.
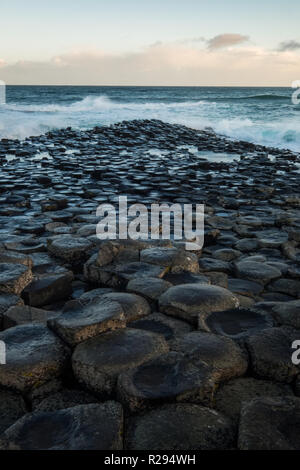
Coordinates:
x,y
23,120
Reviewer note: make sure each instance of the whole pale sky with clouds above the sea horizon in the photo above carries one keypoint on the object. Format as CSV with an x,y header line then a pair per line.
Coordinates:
x,y
157,42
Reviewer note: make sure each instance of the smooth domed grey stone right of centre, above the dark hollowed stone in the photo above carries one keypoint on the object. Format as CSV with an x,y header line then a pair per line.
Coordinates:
x,y
189,300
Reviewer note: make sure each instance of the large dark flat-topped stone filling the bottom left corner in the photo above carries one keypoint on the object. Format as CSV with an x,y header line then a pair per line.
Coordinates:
x,y
83,427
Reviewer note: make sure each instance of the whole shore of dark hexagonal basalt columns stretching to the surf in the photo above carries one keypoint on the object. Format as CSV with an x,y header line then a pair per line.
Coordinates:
x,y
141,345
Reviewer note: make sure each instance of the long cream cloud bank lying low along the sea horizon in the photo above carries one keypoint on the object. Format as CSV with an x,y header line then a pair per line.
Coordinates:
x,y
161,64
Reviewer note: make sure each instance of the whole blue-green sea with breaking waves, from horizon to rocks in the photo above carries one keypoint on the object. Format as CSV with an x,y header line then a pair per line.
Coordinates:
x,y
264,116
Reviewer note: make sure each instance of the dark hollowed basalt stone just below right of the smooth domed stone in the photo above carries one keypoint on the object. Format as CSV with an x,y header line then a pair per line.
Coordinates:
x,y
237,323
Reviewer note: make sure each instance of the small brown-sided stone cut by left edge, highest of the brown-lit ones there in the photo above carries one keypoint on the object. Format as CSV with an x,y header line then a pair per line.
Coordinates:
x,y
14,277
